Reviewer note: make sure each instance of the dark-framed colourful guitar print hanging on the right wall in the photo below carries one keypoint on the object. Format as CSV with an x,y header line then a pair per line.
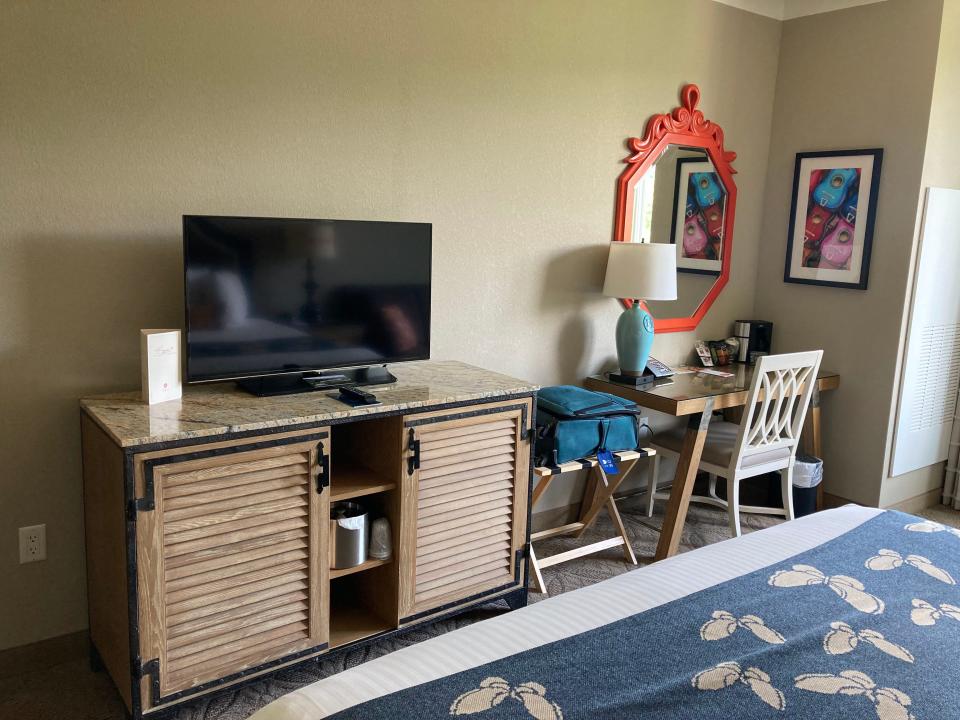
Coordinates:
x,y
832,215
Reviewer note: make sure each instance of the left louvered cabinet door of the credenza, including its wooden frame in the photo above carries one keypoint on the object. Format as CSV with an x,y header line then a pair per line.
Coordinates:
x,y
231,560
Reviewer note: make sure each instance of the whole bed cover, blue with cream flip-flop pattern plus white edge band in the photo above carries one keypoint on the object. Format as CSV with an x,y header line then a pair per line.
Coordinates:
x,y
852,613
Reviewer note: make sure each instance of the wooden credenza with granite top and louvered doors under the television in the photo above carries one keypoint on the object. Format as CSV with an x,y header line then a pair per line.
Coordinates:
x,y
208,531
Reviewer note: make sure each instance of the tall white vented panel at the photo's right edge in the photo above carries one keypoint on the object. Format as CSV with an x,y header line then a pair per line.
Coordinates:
x,y
931,365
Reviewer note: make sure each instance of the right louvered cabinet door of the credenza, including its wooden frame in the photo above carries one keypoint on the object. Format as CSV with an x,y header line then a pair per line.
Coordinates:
x,y
467,487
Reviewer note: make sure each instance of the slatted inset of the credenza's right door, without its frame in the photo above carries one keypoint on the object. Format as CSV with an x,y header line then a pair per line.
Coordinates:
x,y
465,509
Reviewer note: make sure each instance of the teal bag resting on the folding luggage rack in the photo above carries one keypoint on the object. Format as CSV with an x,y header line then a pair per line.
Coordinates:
x,y
573,422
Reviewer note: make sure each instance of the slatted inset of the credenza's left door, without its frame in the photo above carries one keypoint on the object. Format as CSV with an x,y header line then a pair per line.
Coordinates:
x,y
237,574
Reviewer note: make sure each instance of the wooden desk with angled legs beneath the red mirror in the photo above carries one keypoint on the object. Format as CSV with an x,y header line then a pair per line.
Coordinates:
x,y
695,396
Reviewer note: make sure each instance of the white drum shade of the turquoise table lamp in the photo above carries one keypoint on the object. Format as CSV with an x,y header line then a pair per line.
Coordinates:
x,y
644,271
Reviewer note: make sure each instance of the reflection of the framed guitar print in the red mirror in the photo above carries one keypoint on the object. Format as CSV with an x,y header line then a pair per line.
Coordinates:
x,y
699,206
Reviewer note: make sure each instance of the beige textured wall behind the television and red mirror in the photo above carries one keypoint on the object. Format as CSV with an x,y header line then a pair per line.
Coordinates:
x,y
501,122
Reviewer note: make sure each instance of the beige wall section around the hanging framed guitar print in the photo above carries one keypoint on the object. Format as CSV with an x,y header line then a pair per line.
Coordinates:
x,y
855,78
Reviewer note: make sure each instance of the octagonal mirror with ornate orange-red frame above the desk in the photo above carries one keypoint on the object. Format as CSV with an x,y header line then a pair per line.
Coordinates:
x,y
678,188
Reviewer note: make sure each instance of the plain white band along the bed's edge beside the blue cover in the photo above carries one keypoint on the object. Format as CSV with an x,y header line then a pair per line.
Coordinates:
x,y
565,615
